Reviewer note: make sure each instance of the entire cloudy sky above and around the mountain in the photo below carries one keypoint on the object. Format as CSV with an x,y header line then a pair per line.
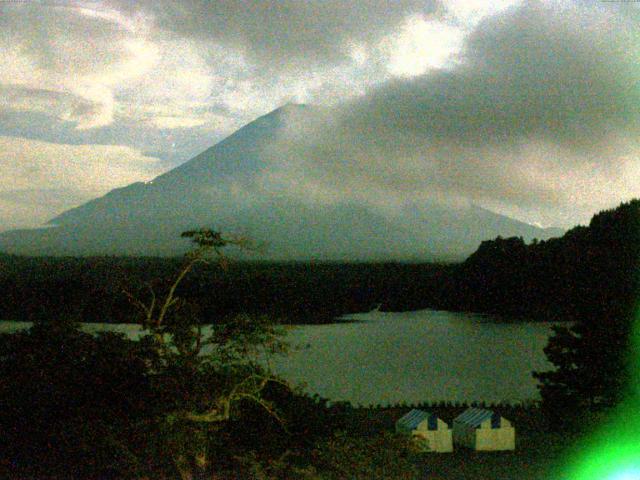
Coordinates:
x,y
531,109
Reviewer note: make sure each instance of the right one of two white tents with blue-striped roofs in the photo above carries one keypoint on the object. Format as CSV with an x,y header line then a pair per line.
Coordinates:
x,y
483,430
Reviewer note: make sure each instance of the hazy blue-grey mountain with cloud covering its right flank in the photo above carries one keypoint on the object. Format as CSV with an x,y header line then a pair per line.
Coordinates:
x,y
220,188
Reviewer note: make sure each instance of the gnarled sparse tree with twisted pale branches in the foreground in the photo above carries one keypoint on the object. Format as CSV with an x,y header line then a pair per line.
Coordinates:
x,y
203,374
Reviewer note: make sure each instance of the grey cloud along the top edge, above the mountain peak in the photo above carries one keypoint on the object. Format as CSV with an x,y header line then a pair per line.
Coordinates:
x,y
274,33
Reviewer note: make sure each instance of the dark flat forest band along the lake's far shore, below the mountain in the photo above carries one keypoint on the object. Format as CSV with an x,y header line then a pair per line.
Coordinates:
x,y
91,289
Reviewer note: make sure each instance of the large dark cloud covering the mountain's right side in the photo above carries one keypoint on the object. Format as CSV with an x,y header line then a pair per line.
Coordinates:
x,y
541,109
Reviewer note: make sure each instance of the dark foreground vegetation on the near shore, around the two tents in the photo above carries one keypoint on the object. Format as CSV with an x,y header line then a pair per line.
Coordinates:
x,y
77,406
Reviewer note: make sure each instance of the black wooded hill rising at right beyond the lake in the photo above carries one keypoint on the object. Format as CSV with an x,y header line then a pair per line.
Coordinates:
x,y
590,272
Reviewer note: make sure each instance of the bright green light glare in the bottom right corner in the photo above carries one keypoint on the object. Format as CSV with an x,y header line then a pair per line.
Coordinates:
x,y
613,453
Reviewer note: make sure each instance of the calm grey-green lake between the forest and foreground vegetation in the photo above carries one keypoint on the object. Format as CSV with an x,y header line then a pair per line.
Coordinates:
x,y
412,357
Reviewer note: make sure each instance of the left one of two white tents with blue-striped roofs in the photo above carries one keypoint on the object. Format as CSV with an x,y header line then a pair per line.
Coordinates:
x,y
429,431
